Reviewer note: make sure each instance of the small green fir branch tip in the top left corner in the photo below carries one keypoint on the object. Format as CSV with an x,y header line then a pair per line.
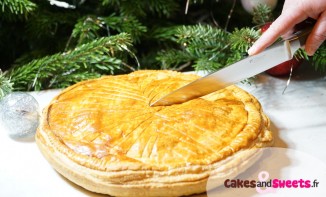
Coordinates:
x,y
12,10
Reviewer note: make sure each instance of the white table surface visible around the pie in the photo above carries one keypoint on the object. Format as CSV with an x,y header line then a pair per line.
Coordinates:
x,y
298,122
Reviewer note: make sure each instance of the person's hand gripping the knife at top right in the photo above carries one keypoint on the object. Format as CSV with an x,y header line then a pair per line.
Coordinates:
x,y
293,13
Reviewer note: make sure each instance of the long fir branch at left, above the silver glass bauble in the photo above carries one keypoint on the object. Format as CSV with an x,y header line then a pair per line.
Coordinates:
x,y
101,56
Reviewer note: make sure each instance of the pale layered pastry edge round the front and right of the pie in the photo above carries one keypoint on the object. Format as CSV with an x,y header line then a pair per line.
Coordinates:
x,y
174,182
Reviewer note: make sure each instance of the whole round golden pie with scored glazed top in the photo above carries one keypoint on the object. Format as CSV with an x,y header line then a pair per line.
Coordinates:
x,y
103,135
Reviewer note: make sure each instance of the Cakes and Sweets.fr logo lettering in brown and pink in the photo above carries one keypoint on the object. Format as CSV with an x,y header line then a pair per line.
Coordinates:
x,y
266,185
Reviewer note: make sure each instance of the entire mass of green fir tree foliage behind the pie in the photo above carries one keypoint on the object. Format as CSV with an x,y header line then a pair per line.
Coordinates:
x,y
47,46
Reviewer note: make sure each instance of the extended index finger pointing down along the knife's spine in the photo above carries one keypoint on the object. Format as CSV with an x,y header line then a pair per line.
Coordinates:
x,y
285,22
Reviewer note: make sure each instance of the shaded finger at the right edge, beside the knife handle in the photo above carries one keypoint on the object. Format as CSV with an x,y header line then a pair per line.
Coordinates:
x,y
317,35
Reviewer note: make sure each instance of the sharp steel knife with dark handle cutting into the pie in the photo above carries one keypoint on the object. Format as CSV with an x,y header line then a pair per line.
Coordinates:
x,y
278,53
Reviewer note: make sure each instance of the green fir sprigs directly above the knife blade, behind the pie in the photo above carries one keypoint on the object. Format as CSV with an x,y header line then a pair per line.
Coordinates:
x,y
208,48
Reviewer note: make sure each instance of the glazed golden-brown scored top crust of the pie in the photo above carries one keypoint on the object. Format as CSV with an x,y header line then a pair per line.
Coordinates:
x,y
107,123
